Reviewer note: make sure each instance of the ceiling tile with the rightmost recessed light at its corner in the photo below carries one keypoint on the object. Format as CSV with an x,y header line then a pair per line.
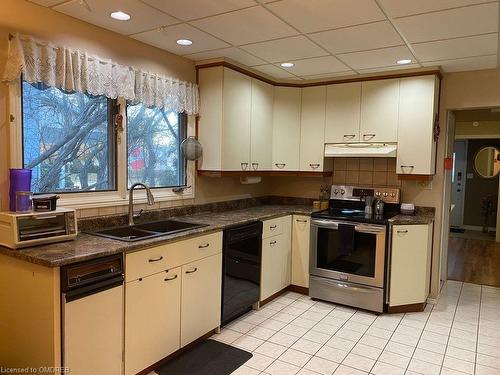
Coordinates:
x,y
377,58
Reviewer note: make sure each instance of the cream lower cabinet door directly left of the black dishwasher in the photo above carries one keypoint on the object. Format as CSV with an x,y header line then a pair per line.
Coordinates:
x,y
201,297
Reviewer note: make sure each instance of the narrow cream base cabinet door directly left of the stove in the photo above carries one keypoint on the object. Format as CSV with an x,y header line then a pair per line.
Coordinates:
x,y
300,250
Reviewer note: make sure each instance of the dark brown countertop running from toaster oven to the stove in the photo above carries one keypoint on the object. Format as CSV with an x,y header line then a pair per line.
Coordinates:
x,y
87,246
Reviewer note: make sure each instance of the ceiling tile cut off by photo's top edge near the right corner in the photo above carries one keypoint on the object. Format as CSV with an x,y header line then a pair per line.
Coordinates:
x,y
398,8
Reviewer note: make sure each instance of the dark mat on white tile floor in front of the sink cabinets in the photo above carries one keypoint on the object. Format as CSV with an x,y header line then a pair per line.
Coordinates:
x,y
209,357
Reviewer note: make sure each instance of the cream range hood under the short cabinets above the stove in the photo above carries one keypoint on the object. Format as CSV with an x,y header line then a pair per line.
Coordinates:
x,y
373,150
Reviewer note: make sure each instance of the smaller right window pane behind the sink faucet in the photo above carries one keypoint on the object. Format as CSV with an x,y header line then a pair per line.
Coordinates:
x,y
153,152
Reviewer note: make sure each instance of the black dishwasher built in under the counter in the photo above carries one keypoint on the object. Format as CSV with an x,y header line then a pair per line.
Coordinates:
x,y
242,253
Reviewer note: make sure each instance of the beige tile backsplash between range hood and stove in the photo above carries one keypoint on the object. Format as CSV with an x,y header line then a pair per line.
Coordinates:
x,y
365,172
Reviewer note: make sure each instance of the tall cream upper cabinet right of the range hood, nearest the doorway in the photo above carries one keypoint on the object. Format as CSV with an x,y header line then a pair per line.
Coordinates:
x,y
418,106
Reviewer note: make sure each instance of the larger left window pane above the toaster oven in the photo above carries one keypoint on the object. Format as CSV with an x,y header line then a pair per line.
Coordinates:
x,y
67,140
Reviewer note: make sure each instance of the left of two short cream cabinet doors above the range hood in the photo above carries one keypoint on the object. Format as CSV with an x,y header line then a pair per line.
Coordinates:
x,y
343,103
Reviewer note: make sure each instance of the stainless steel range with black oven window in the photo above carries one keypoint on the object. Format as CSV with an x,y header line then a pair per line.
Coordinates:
x,y
349,246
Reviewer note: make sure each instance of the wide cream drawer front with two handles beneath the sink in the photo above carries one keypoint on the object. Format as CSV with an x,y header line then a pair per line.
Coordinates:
x,y
156,259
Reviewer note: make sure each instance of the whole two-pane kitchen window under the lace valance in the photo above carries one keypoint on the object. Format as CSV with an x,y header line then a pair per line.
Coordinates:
x,y
70,142
